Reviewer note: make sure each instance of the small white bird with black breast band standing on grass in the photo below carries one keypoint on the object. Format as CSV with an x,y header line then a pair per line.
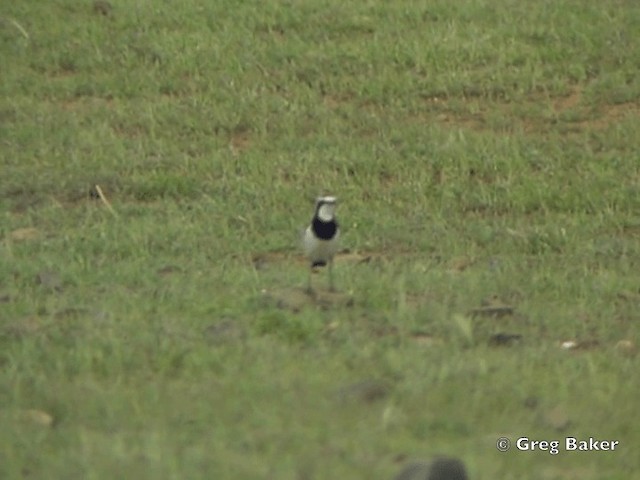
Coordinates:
x,y
320,240
